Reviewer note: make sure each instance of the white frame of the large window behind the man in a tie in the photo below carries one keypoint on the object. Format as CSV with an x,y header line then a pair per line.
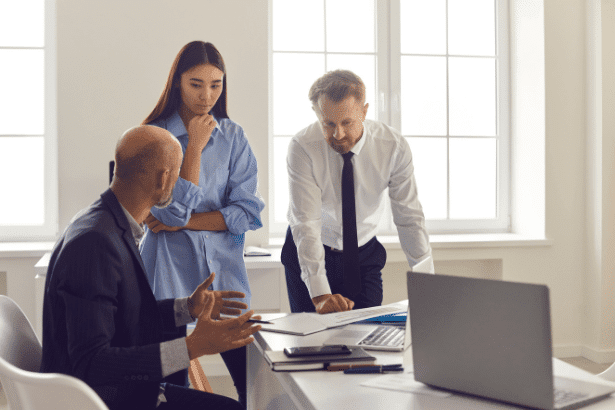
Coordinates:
x,y
388,78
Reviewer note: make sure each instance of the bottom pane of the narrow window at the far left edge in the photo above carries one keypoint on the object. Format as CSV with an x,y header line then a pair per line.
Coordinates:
x,y
22,165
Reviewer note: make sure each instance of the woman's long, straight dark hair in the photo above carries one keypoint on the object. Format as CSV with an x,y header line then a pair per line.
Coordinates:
x,y
191,55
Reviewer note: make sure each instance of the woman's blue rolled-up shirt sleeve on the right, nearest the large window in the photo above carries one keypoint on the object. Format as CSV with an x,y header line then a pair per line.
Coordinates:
x,y
244,203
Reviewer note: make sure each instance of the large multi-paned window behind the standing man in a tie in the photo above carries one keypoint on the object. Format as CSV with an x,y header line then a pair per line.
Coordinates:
x,y
435,70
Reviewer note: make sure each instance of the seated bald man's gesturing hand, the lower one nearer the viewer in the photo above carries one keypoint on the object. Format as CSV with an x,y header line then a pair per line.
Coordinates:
x,y
215,336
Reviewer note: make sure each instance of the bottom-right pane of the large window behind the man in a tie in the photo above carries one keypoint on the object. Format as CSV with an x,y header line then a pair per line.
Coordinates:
x,y
473,178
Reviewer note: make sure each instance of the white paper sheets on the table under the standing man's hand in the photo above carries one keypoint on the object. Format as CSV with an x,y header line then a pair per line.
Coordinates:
x,y
308,323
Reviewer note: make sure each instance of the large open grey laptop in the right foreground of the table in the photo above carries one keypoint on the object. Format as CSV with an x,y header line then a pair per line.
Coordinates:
x,y
489,338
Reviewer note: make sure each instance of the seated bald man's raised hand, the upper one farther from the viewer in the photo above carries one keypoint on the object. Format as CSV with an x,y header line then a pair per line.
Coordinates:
x,y
221,304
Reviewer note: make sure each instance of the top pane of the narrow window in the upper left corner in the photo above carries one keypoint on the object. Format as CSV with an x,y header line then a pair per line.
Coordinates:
x,y
22,23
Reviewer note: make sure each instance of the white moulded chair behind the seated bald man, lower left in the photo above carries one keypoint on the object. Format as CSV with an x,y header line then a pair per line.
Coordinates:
x,y
20,360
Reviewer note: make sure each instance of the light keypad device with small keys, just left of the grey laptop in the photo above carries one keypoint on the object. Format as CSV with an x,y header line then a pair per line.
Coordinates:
x,y
393,338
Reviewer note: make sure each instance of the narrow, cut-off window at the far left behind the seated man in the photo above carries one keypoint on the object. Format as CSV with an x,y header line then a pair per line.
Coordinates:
x,y
27,120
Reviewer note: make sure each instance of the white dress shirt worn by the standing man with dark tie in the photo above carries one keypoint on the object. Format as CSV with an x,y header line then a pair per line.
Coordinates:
x,y
381,160
